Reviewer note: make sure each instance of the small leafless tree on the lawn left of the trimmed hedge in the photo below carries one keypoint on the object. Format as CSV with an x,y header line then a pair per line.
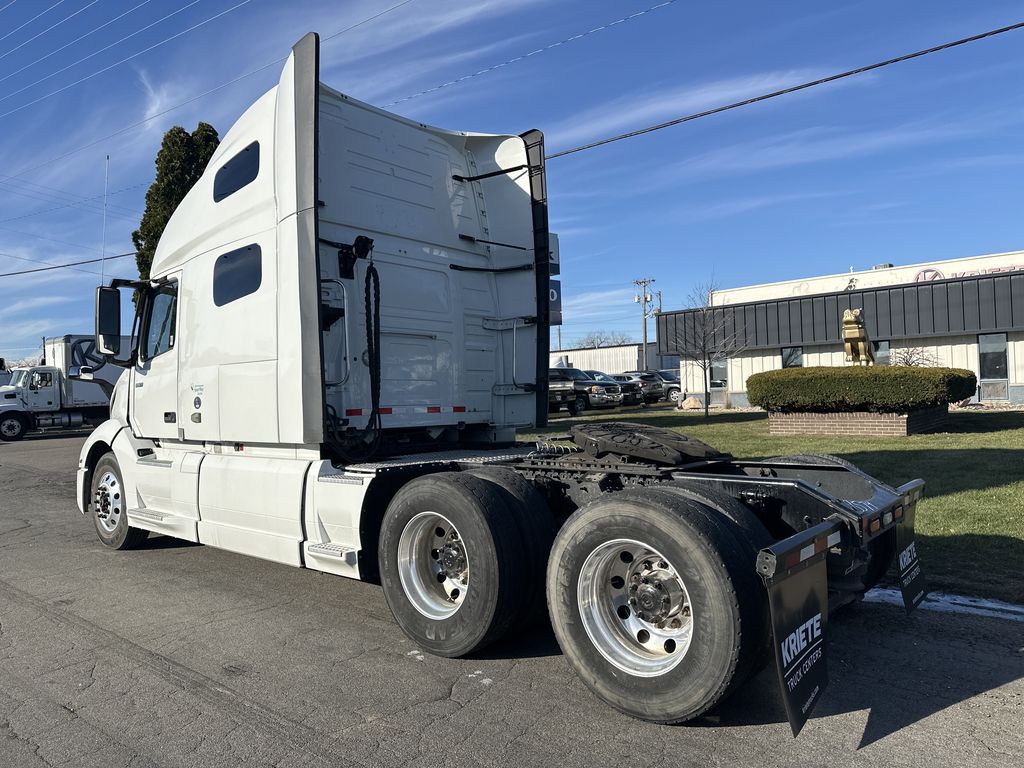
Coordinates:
x,y
707,335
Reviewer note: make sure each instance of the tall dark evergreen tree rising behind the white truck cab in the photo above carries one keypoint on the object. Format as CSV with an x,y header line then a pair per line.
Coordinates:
x,y
181,162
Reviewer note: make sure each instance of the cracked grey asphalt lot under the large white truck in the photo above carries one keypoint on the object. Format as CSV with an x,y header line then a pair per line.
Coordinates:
x,y
180,655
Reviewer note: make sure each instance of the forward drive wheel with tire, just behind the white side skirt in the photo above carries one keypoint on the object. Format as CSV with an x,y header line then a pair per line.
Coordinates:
x,y
452,563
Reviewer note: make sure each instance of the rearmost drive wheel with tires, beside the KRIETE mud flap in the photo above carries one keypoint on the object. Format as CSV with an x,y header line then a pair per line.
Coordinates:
x,y
656,604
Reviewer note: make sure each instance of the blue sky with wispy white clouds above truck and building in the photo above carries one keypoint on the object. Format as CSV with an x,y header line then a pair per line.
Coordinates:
x,y
917,162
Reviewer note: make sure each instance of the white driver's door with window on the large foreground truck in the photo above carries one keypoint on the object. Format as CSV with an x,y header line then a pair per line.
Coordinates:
x,y
155,392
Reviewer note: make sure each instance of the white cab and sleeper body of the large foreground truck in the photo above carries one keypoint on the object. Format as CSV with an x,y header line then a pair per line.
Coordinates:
x,y
221,433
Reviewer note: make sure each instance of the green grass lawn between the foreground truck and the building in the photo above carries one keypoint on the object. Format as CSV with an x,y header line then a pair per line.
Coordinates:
x,y
971,523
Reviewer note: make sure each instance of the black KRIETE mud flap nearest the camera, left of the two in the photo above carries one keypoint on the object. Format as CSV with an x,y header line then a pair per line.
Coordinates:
x,y
795,574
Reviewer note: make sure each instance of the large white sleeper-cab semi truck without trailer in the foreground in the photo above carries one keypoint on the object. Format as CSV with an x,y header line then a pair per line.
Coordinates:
x,y
346,326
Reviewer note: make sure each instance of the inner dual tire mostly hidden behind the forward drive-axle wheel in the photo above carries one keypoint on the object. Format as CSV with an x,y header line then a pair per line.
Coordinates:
x,y
537,531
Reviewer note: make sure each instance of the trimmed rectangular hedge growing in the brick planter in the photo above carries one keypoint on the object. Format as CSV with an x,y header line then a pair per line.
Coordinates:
x,y
888,390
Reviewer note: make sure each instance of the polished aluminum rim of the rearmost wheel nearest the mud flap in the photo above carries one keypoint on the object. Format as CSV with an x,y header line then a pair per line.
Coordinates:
x,y
635,608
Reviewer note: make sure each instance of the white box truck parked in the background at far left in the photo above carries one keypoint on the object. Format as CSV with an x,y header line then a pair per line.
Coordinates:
x,y
51,396
